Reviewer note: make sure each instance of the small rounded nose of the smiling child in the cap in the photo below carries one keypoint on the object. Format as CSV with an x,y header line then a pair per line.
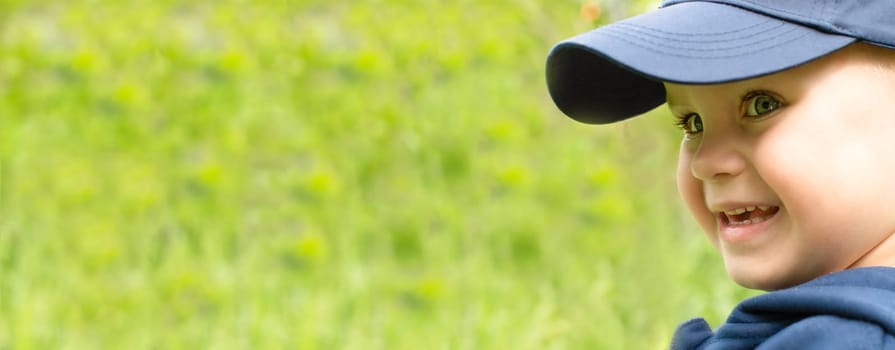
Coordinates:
x,y
717,157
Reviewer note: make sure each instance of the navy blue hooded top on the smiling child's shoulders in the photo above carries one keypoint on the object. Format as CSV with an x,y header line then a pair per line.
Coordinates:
x,y
851,309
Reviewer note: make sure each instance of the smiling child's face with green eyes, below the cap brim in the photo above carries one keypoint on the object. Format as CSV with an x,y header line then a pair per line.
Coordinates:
x,y
801,161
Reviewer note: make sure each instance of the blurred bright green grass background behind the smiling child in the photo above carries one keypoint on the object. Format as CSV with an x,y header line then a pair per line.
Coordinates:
x,y
328,175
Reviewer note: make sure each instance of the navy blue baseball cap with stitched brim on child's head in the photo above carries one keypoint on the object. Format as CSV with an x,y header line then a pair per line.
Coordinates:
x,y
616,71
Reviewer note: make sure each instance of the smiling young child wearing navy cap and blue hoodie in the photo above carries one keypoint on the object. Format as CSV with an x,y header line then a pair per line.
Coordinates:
x,y
788,114
